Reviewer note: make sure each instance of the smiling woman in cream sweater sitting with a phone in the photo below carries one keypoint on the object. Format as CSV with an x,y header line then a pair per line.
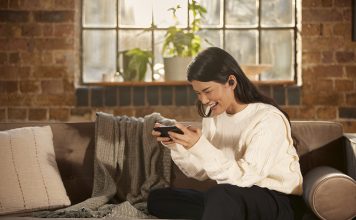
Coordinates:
x,y
245,145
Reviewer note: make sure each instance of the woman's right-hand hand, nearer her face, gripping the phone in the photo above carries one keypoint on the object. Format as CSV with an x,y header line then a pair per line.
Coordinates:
x,y
189,138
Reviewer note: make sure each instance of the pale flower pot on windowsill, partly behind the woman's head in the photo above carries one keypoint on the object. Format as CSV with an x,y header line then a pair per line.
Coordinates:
x,y
175,68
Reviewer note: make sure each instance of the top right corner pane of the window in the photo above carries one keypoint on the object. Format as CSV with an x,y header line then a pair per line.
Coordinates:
x,y
277,13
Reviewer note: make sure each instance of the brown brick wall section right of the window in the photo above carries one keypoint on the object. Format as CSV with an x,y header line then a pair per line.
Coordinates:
x,y
329,67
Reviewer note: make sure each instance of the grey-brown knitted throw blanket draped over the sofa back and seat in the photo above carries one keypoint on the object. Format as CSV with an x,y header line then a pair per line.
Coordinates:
x,y
129,162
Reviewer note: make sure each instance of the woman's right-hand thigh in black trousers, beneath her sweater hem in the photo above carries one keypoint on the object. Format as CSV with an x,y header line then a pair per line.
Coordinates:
x,y
226,201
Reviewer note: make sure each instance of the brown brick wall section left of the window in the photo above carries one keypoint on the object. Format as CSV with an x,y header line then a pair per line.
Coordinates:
x,y
38,59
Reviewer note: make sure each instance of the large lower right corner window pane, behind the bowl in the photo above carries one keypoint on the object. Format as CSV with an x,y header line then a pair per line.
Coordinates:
x,y
278,49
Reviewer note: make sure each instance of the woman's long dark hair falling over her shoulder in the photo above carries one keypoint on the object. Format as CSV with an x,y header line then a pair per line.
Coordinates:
x,y
215,64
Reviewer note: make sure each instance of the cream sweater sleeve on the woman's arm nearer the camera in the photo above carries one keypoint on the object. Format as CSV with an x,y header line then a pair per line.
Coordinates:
x,y
262,142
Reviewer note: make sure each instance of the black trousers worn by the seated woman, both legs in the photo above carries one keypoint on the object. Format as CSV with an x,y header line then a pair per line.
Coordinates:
x,y
221,202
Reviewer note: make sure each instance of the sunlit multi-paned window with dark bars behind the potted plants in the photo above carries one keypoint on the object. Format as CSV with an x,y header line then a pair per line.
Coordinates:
x,y
253,31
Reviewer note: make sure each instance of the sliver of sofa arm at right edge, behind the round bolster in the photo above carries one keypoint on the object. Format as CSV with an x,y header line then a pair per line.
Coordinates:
x,y
351,154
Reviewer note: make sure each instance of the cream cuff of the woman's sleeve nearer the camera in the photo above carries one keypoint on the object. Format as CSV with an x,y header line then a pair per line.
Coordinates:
x,y
205,151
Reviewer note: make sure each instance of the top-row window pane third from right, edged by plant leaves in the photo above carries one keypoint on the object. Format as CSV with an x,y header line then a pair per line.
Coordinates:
x,y
213,17
